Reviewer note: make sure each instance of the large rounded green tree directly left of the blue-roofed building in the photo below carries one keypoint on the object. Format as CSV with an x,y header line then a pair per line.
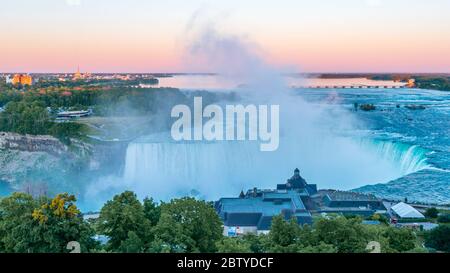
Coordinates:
x,y
188,225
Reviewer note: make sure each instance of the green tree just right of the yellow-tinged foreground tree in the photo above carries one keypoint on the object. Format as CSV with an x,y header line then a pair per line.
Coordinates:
x,y
120,216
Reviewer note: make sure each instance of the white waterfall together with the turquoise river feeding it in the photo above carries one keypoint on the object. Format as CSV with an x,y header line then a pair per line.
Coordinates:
x,y
408,147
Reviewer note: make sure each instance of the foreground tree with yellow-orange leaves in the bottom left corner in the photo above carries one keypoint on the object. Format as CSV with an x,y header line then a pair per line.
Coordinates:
x,y
42,225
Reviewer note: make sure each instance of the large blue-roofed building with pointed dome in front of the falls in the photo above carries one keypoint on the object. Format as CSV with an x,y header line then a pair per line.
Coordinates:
x,y
252,212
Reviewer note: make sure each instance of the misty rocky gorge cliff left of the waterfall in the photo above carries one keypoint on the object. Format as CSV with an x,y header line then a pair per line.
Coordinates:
x,y
26,159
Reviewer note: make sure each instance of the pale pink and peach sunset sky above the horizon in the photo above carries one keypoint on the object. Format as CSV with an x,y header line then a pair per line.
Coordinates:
x,y
148,35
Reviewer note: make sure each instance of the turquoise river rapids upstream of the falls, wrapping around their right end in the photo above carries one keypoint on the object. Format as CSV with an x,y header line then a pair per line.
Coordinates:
x,y
392,122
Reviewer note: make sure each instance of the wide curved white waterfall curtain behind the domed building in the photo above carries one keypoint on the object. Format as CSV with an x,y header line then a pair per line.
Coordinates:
x,y
165,169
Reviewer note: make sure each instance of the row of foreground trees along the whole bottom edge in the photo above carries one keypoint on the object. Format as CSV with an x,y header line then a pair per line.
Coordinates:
x,y
186,225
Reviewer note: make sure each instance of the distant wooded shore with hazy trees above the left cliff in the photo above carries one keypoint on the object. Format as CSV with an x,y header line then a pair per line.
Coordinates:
x,y
25,112
